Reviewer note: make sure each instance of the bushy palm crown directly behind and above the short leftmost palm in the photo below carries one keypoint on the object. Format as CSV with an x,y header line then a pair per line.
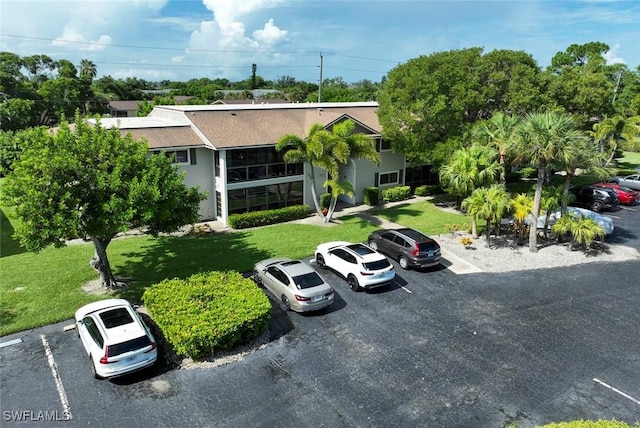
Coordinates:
x,y
468,169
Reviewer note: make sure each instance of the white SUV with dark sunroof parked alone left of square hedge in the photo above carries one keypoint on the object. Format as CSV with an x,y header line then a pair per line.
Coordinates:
x,y
115,337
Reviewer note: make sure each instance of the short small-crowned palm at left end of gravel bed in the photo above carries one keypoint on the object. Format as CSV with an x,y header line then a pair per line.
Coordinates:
x,y
488,203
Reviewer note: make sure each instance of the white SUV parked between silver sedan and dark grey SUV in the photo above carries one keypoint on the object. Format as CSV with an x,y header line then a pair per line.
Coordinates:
x,y
362,267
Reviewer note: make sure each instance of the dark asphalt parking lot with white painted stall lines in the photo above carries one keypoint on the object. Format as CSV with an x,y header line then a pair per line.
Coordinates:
x,y
435,349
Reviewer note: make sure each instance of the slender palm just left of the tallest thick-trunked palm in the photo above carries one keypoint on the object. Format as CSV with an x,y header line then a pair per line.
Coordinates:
x,y
497,132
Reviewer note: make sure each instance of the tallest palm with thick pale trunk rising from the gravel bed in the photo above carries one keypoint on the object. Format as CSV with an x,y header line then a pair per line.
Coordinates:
x,y
544,138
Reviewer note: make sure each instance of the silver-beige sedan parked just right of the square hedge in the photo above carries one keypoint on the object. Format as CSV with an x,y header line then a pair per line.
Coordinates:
x,y
295,284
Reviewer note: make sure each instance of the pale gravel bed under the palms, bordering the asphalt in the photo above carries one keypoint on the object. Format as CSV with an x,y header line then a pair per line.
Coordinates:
x,y
505,255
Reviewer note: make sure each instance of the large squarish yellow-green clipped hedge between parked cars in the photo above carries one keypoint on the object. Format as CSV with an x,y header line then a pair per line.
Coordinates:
x,y
208,312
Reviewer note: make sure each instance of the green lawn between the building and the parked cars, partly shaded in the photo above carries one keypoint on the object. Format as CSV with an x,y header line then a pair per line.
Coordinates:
x,y
39,289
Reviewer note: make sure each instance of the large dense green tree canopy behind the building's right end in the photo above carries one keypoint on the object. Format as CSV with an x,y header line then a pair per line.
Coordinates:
x,y
431,100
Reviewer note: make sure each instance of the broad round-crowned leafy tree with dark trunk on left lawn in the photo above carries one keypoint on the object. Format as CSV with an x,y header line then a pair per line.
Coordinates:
x,y
90,181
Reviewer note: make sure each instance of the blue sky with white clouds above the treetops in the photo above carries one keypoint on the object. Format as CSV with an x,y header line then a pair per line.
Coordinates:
x,y
358,39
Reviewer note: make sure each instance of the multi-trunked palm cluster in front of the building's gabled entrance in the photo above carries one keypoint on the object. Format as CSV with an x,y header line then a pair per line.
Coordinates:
x,y
328,150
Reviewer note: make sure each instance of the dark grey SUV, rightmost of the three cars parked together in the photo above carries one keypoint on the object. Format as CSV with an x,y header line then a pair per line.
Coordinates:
x,y
408,246
